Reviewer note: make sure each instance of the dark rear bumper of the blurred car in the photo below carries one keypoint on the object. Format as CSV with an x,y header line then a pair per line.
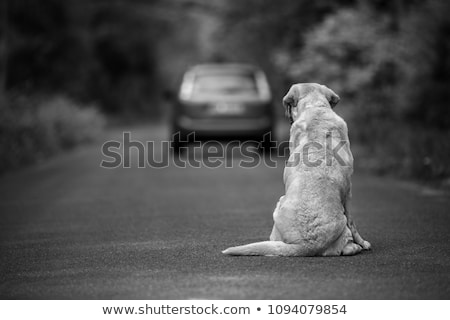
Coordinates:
x,y
225,127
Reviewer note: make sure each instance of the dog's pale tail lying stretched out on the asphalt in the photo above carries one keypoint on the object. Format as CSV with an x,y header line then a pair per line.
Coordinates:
x,y
270,248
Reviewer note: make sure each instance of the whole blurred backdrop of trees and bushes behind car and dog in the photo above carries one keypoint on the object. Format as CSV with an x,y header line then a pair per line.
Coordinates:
x,y
69,69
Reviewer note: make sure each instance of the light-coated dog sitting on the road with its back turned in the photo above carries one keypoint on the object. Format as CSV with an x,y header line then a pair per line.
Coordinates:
x,y
313,218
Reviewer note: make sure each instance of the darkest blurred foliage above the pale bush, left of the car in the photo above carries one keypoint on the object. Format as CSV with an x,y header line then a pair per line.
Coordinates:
x,y
89,50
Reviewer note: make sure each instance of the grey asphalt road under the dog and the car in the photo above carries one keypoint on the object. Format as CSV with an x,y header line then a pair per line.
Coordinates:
x,y
70,229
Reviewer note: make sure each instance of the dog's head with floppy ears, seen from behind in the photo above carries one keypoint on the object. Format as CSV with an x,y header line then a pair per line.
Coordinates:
x,y
298,92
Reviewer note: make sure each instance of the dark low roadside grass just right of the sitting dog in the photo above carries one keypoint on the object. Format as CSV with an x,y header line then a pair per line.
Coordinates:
x,y
403,150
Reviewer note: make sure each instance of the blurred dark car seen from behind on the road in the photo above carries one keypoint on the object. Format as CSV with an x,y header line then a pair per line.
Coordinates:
x,y
222,101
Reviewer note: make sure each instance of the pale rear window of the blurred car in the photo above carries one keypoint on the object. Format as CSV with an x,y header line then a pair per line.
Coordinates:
x,y
225,84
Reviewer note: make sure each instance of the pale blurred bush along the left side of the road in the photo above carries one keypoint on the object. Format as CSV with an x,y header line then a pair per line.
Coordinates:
x,y
32,129
